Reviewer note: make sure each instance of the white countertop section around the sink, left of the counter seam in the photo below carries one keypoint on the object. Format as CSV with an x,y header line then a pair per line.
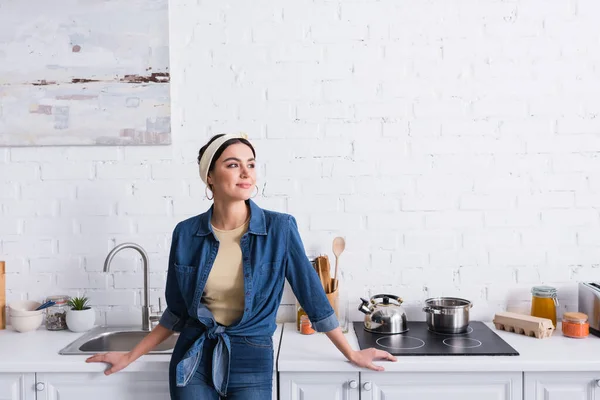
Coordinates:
x,y
37,351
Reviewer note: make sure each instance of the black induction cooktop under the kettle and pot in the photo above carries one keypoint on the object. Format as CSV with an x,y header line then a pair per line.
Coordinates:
x,y
479,340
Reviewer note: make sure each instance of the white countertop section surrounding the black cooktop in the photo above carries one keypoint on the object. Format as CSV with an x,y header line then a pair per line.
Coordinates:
x,y
315,353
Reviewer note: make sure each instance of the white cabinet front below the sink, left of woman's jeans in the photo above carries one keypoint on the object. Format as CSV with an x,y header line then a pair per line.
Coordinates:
x,y
97,386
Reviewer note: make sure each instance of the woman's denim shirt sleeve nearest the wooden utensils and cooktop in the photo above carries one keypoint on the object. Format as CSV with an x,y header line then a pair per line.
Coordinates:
x,y
305,283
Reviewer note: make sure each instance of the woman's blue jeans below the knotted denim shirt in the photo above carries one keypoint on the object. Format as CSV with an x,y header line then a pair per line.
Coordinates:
x,y
250,374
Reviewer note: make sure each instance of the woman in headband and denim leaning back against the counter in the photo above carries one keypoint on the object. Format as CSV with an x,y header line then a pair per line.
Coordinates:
x,y
224,284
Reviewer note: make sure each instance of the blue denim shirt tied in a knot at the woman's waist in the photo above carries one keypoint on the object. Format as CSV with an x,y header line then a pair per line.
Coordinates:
x,y
272,251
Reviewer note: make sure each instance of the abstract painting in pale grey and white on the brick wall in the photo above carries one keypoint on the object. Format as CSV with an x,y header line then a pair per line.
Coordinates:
x,y
93,72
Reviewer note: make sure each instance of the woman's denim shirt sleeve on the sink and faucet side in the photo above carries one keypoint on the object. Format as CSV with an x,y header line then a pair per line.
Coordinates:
x,y
175,315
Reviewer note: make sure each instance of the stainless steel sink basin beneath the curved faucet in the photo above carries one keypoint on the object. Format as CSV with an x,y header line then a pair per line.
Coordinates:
x,y
110,338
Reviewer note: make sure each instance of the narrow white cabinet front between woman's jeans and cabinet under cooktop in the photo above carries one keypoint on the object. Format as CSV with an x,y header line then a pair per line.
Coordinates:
x,y
319,386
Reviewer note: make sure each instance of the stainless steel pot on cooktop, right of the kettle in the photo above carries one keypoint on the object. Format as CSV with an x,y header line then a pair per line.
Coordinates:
x,y
447,314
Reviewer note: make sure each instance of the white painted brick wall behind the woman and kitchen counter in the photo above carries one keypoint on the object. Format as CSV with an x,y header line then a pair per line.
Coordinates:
x,y
455,146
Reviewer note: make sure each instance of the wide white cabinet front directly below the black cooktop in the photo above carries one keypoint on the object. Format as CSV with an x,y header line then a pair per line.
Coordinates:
x,y
445,385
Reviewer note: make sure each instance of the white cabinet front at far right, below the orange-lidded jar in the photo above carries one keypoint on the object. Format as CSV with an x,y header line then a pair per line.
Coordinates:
x,y
562,386
